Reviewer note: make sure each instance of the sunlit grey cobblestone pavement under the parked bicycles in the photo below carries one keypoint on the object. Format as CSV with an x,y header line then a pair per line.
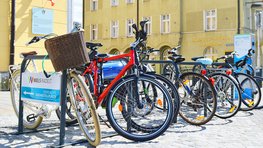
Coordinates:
x,y
243,130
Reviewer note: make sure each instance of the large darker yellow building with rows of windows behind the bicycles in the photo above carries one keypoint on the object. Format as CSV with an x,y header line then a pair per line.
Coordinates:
x,y
201,27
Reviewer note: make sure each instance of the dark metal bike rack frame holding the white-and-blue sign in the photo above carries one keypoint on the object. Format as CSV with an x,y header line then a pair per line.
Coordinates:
x,y
62,100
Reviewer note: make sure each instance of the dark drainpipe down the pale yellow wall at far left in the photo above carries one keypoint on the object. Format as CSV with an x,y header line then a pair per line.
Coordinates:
x,y
12,33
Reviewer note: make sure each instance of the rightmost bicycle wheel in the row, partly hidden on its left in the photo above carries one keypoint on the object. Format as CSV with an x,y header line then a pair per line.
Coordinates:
x,y
250,91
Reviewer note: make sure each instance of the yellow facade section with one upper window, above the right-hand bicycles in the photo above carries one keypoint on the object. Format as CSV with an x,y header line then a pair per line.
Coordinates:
x,y
196,37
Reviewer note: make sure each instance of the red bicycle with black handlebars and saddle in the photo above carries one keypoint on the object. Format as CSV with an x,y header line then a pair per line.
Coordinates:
x,y
137,106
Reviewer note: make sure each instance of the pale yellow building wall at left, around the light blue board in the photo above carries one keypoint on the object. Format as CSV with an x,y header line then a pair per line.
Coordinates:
x,y
23,27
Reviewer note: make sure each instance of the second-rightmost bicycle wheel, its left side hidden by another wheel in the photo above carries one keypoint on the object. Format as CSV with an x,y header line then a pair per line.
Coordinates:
x,y
228,95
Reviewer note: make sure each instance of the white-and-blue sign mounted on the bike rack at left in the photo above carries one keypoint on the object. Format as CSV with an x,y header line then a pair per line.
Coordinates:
x,y
36,87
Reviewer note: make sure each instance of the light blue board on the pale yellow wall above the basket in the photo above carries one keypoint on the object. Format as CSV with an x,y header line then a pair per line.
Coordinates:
x,y
42,21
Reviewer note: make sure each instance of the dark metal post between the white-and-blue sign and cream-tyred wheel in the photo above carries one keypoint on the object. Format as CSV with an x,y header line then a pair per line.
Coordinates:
x,y
63,95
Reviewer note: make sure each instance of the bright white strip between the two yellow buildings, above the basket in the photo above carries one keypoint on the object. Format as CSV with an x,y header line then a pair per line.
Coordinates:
x,y
75,13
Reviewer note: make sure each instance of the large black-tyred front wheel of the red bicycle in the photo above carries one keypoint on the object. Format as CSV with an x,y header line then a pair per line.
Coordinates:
x,y
137,115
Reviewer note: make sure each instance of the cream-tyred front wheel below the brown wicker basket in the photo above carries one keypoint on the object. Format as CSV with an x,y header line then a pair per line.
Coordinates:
x,y
84,107
